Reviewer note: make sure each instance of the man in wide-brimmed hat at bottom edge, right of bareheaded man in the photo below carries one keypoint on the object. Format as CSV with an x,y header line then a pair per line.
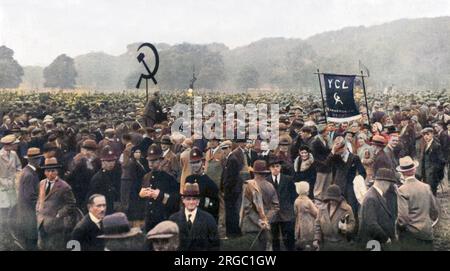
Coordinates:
x,y
119,235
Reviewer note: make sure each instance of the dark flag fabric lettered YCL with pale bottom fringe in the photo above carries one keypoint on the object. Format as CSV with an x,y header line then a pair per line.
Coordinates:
x,y
340,100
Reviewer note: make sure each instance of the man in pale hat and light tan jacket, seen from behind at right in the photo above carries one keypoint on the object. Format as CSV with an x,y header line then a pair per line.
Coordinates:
x,y
417,209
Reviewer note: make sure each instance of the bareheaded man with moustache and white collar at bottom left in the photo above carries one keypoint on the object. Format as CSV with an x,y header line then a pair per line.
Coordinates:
x,y
87,230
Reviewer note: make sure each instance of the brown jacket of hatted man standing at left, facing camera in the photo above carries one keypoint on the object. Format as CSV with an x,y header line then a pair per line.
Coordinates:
x,y
59,202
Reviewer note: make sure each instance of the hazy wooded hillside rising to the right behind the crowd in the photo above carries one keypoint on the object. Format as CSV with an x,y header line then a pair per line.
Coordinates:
x,y
408,53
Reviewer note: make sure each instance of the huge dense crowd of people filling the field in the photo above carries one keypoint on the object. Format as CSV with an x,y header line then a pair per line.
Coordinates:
x,y
107,171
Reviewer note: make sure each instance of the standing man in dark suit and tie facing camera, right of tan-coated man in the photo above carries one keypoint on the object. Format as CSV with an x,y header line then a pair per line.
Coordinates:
x,y
283,222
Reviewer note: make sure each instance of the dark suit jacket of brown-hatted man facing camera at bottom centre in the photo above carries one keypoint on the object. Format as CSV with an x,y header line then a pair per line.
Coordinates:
x,y
203,234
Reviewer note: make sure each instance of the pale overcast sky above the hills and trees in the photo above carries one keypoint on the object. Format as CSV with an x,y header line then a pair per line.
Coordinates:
x,y
38,32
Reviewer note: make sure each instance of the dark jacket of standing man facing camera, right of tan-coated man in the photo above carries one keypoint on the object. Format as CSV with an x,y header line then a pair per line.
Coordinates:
x,y
286,195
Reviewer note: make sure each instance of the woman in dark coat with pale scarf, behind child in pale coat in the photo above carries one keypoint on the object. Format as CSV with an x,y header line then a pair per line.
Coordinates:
x,y
305,169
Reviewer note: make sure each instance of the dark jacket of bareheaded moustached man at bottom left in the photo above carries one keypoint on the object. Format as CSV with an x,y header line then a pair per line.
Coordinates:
x,y
86,232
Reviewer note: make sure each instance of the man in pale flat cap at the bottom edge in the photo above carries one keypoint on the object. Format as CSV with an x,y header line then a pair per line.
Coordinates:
x,y
164,236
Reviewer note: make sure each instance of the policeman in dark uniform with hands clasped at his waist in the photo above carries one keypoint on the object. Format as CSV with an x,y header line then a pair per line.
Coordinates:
x,y
159,189
